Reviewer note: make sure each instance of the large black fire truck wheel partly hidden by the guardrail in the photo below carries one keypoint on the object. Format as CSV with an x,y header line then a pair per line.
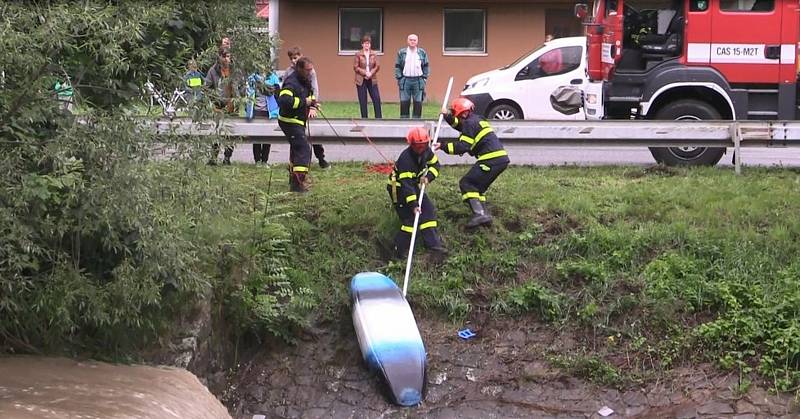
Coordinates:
x,y
687,110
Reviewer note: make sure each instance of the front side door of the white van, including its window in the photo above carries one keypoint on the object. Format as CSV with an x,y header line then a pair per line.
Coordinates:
x,y
541,76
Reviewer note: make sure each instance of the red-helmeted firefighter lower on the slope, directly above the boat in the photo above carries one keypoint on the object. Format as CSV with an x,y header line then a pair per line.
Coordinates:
x,y
417,165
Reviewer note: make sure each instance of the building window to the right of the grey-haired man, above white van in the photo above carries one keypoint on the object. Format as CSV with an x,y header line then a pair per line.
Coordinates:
x,y
465,30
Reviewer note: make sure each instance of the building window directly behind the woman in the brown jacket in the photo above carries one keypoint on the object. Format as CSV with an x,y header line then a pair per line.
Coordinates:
x,y
355,23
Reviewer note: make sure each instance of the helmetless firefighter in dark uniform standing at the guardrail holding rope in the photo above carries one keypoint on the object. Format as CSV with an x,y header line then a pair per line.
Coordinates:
x,y
296,104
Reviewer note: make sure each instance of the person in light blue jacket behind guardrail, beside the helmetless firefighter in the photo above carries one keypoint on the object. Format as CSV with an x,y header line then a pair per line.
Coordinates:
x,y
261,89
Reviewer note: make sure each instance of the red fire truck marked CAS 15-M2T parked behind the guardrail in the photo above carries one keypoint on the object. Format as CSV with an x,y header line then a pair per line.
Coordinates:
x,y
691,60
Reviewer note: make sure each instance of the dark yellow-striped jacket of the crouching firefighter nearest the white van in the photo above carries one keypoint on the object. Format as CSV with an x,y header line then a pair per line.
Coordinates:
x,y
477,138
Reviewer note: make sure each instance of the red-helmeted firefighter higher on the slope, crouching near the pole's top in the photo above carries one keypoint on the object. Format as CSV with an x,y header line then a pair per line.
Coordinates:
x,y
479,140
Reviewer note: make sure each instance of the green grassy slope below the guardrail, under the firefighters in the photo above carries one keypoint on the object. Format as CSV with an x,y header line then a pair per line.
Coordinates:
x,y
663,266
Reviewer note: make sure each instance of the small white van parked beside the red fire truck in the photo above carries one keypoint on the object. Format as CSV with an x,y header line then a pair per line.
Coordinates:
x,y
521,90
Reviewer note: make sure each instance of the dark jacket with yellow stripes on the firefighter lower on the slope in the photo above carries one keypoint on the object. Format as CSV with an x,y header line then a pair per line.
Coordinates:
x,y
407,172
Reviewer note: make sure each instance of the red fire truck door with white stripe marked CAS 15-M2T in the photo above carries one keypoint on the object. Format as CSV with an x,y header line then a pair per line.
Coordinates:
x,y
746,40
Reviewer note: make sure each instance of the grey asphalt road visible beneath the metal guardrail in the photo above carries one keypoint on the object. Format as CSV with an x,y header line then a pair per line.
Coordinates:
x,y
537,156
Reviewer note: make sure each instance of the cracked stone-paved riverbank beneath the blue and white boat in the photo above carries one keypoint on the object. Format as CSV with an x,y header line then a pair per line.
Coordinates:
x,y
500,374
